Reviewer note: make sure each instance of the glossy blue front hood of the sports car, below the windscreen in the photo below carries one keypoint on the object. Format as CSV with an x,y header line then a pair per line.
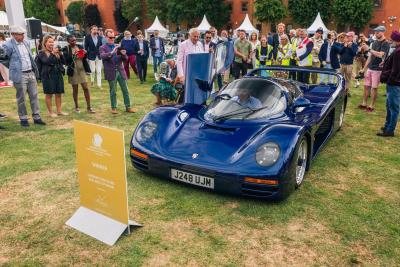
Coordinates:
x,y
203,142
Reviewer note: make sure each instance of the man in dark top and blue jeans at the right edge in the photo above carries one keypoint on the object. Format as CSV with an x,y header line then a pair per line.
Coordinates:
x,y
391,76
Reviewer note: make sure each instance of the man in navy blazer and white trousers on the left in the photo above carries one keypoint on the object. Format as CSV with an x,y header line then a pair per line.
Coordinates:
x,y
93,41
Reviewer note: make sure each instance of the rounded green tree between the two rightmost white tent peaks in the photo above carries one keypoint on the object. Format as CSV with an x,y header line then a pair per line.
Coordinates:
x,y
271,11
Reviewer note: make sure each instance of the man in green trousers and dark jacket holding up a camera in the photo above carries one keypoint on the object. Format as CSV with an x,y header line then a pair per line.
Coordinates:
x,y
114,58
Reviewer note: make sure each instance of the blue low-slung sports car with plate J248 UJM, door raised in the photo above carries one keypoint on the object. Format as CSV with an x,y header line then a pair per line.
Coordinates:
x,y
256,137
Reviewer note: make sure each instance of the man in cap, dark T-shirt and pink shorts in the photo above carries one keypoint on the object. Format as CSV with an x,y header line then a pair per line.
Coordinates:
x,y
373,67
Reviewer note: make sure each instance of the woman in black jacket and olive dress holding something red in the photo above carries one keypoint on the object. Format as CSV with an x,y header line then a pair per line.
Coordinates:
x,y
77,69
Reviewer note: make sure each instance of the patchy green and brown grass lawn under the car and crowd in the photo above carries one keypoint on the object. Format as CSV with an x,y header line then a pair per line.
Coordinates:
x,y
346,213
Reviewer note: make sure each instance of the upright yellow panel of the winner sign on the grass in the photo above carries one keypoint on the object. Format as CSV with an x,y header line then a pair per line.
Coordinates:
x,y
100,154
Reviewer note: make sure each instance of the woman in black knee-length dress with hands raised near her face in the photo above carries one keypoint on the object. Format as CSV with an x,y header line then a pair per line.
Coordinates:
x,y
50,61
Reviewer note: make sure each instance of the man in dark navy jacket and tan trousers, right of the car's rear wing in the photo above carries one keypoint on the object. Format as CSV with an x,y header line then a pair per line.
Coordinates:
x,y
347,54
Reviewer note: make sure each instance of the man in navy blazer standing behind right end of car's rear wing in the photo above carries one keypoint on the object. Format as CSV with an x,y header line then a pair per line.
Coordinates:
x,y
329,56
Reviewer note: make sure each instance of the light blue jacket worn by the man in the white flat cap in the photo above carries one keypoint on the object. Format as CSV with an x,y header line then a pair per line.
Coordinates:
x,y
14,57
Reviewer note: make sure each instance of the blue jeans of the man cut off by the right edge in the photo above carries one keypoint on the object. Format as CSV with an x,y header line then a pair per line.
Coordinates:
x,y
392,107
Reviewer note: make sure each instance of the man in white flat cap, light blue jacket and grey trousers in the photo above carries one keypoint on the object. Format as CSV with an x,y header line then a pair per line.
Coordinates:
x,y
23,71
